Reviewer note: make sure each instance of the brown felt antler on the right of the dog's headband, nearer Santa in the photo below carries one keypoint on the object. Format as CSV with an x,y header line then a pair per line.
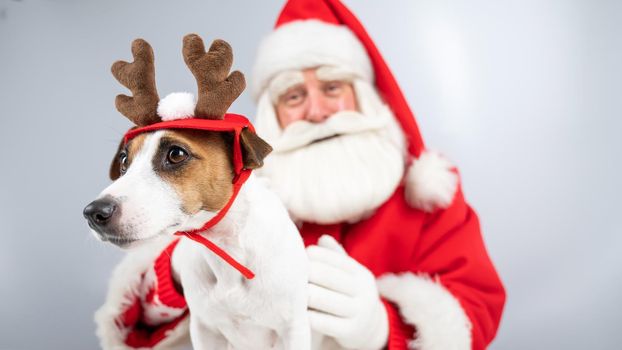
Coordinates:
x,y
217,88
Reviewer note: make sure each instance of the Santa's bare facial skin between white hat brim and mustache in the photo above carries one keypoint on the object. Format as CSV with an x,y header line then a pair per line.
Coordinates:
x,y
314,99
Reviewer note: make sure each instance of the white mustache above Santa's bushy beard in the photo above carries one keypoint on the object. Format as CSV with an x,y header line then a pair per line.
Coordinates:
x,y
302,133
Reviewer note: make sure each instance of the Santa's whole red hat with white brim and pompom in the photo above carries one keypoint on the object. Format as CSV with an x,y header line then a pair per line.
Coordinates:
x,y
312,33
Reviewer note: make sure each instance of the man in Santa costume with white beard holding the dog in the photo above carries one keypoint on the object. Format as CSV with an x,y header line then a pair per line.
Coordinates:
x,y
396,255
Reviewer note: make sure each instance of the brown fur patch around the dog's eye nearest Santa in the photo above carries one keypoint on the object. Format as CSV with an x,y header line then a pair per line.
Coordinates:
x,y
198,165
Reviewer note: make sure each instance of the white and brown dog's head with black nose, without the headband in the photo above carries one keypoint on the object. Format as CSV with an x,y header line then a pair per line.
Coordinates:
x,y
167,181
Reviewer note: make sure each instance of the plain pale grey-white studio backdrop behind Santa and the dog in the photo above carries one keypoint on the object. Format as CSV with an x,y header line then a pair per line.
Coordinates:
x,y
523,95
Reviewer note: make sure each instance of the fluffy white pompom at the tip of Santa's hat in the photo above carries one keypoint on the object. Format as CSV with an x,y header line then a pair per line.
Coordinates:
x,y
430,182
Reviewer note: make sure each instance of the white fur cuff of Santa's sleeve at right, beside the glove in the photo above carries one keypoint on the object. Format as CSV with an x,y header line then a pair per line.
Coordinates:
x,y
441,322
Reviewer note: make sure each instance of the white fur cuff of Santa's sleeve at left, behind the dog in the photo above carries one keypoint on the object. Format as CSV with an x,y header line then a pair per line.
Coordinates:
x,y
123,287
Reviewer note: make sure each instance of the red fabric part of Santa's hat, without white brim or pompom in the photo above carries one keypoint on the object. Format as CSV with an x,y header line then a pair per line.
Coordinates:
x,y
334,12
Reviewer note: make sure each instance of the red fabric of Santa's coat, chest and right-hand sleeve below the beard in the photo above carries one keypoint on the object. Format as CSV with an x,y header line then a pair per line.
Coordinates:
x,y
446,244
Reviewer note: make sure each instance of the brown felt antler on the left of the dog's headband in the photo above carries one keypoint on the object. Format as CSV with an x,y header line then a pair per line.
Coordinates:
x,y
139,77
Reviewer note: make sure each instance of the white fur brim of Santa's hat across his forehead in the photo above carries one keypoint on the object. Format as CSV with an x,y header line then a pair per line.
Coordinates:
x,y
307,44
